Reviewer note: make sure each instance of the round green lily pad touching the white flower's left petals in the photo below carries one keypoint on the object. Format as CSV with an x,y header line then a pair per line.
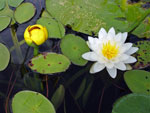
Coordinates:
x,y
73,47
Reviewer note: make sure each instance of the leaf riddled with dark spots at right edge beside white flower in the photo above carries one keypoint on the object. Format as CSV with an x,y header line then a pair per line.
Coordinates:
x,y
142,55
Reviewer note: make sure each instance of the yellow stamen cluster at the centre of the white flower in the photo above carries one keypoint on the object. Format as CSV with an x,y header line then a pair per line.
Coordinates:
x,y
110,50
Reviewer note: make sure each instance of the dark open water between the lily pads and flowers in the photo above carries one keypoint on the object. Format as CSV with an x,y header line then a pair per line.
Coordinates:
x,y
102,83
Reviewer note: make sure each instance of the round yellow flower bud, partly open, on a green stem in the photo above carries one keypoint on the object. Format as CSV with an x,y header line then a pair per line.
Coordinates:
x,y
35,35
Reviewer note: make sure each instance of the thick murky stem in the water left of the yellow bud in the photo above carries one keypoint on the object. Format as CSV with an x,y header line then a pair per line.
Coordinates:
x,y
16,44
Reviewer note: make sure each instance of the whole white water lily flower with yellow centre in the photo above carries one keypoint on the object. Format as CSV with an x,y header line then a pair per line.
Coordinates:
x,y
110,50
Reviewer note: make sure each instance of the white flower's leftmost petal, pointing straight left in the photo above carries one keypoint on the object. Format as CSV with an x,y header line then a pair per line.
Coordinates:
x,y
91,56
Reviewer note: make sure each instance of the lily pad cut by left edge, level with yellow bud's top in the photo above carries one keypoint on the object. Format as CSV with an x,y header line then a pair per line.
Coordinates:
x,y
4,22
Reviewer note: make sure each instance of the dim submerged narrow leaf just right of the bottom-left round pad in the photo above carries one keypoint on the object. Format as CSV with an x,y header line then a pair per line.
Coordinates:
x,y
58,96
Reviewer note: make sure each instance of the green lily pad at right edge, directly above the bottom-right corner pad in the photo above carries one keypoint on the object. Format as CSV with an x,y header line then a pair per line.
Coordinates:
x,y
138,81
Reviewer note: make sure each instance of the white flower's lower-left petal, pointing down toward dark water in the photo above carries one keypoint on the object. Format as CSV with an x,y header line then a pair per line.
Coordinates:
x,y
96,67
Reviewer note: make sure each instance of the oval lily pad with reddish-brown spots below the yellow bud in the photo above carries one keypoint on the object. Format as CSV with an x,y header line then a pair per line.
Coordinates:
x,y
49,63
